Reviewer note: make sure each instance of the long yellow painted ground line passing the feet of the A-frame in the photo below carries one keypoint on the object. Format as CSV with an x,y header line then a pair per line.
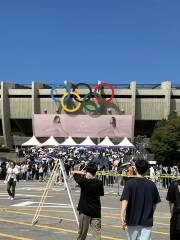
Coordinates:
x,y
54,228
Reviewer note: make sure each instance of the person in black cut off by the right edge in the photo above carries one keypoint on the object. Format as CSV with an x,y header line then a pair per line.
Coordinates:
x,y
173,196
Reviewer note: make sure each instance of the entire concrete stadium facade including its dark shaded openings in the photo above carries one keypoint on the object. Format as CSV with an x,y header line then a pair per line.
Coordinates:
x,y
147,103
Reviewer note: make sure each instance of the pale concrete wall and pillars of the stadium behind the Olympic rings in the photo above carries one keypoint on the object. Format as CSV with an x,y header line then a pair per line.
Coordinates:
x,y
142,103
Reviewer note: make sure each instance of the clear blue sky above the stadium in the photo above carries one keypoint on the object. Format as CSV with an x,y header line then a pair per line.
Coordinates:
x,y
88,40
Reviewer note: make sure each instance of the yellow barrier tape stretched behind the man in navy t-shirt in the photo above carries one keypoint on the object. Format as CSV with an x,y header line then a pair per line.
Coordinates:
x,y
110,174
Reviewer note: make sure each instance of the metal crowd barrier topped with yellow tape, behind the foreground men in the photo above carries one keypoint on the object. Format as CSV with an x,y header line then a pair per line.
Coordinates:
x,y
116,181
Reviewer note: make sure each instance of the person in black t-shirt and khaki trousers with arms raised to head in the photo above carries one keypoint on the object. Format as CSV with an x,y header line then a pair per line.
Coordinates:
x,y
89,206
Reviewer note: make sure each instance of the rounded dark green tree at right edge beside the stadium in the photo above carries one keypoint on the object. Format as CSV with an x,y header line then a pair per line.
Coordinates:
x,y
165,141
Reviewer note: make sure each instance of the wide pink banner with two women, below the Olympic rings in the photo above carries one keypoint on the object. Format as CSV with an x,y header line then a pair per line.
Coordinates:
x,y
113,126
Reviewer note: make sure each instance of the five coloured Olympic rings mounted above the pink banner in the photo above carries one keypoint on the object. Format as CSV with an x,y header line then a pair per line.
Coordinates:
x,y
71,92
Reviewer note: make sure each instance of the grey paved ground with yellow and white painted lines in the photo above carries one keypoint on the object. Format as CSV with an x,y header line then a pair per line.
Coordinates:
x,y
57,220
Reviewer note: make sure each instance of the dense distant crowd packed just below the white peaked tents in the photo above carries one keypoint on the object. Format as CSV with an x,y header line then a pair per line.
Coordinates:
x,y
40,161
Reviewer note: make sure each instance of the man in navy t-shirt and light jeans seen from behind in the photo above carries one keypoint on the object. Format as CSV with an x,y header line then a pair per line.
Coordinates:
x,y
139,199
